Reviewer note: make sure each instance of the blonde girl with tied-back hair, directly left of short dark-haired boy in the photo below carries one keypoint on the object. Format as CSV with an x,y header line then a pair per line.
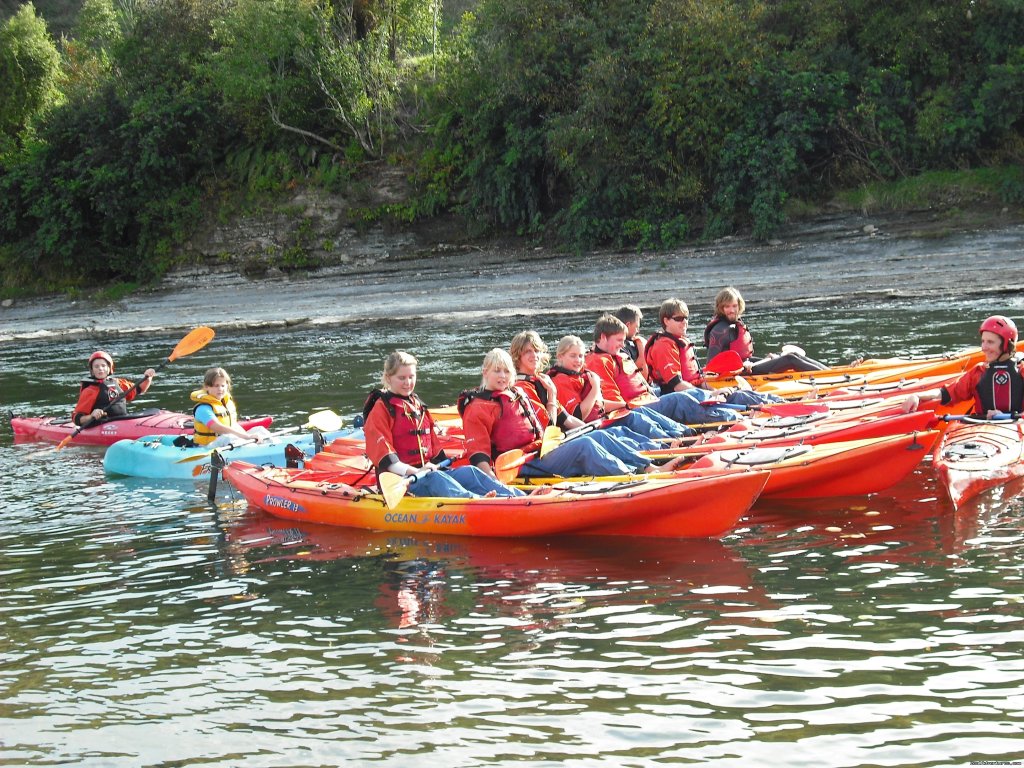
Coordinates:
x,y
579,392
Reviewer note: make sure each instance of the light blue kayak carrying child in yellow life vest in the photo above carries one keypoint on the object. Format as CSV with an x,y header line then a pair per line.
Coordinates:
x,y
158,457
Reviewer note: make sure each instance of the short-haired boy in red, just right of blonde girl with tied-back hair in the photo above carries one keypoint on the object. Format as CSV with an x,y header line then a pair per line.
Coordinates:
x,y
624,387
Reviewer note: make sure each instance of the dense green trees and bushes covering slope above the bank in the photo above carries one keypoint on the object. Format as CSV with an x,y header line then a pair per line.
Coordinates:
x,y
642,123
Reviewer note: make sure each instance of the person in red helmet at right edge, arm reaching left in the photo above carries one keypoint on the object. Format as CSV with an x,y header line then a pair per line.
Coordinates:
x,y
997,386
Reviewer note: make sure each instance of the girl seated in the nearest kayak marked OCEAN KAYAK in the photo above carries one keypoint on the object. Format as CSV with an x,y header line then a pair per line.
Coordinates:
x,y
402,439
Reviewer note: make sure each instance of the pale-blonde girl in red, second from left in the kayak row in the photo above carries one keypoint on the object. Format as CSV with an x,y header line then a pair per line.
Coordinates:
x,y
500,417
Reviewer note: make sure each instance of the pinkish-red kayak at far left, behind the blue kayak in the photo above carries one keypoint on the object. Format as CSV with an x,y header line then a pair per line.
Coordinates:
x,y
145,423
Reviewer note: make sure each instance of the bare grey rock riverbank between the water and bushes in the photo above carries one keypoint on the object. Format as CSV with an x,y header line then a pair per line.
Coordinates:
x,y
833,261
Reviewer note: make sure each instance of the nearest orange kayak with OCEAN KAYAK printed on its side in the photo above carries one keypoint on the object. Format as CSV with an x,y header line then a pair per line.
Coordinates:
x,y
700,506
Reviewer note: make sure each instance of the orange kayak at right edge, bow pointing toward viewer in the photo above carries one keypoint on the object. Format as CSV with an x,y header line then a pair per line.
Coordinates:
x,y
979,455
